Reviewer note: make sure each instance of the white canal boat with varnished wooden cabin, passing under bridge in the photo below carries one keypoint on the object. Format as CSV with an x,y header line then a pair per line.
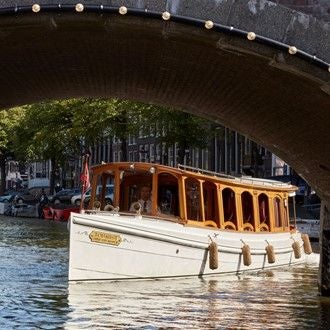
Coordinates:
x,y
194,223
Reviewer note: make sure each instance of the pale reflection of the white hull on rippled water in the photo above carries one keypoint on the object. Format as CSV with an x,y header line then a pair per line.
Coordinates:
x,y
275,299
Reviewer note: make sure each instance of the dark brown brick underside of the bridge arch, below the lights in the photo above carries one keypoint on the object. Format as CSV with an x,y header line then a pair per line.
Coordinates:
x,y
279,100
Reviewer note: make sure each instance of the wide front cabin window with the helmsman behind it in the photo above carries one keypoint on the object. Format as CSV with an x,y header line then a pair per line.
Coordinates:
x,y
131,185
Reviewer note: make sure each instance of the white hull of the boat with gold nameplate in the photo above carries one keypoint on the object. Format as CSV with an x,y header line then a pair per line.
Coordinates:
x,y
121,247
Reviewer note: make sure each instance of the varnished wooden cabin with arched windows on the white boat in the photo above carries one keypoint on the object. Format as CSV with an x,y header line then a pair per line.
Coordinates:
x,y
196,197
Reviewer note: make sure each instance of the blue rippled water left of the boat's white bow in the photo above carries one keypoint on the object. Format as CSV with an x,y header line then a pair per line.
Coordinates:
x,y
33,274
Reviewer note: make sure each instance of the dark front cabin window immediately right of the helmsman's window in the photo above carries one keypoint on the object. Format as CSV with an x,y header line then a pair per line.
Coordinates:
x,y
168,194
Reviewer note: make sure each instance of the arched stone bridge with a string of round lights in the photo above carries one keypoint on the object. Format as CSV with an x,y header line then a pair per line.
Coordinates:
x,y
253,65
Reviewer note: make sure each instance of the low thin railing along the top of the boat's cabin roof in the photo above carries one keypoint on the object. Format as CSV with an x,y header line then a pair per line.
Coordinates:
x,y
242,179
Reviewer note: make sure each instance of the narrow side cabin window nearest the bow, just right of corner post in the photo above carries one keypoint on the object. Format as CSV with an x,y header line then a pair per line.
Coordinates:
x,y
193,203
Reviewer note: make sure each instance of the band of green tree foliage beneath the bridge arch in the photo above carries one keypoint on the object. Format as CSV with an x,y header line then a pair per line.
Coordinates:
x,y
63,128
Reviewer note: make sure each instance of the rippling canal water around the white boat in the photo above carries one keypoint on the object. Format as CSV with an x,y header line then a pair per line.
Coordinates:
x,y
35,293
